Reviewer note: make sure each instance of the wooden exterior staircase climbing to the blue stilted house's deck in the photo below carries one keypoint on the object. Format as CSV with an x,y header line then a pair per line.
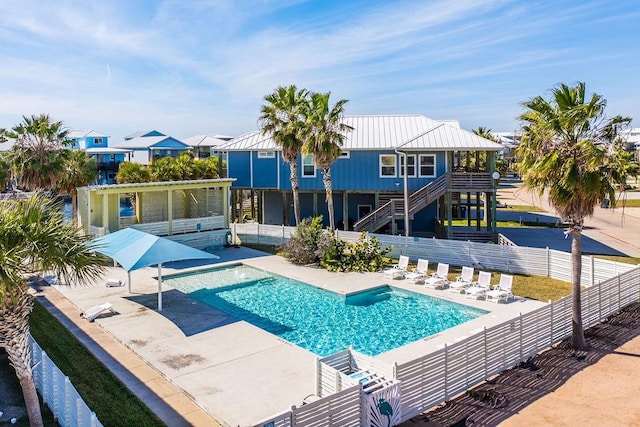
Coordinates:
x,y
394,208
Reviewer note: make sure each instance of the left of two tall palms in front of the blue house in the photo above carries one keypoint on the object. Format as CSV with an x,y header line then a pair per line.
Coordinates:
x,y
281,117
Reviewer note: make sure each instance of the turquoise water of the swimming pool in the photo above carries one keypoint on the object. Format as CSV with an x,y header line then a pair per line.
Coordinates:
x,y
321,321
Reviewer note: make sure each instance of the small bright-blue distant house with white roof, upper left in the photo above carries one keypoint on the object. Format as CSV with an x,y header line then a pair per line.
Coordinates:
x,y
96,145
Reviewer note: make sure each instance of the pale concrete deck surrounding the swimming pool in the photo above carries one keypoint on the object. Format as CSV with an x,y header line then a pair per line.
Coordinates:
x,y
234,371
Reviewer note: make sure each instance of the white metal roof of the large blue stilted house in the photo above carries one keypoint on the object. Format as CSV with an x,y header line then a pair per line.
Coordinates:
x,y
407,132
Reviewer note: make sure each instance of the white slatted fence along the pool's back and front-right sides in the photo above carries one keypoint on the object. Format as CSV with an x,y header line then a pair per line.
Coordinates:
x,y
434,378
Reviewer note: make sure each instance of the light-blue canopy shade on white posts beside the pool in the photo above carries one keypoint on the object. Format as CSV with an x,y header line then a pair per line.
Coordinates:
x,y
134,249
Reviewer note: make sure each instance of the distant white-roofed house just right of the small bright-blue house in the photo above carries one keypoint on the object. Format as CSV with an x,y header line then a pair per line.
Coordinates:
x,y
147,146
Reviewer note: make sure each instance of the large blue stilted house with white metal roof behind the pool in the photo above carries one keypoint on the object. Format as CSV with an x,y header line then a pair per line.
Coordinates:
x,y
369,188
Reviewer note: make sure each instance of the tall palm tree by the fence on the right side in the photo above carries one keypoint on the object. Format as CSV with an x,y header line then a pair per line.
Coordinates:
x,y
566,150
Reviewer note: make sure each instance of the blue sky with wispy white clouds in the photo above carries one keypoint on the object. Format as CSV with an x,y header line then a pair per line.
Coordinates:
x,y
204,66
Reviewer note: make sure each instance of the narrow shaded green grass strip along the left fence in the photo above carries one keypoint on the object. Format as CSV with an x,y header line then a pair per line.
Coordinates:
x,y
103,392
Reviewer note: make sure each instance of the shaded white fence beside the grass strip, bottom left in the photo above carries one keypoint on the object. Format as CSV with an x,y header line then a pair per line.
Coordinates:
x,y
58,393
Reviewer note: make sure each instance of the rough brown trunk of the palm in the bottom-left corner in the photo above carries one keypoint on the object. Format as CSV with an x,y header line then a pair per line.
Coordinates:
x,y
14,332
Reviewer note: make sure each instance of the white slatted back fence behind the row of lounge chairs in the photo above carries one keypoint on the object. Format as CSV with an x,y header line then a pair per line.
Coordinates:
x,y
509,259
